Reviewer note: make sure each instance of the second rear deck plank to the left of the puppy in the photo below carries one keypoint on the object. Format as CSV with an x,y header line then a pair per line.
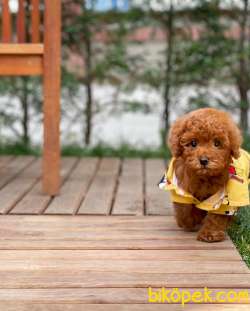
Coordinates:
x,y
129,198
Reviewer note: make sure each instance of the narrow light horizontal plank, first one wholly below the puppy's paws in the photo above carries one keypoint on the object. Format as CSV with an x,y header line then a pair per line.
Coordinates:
x,y
227,255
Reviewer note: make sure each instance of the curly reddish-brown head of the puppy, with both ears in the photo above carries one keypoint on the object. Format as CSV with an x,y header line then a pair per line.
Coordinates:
x,y
206,139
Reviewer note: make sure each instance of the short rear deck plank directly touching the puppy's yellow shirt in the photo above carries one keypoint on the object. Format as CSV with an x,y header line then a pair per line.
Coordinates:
x,y
157,201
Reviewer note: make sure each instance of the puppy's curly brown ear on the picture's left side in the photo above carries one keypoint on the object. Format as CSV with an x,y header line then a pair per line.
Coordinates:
x,y
174,136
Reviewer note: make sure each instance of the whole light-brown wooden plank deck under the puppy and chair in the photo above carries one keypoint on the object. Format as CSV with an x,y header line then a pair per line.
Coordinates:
x,y
99,245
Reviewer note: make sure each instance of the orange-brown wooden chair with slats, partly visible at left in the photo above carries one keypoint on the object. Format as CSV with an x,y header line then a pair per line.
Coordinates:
x,y
20,56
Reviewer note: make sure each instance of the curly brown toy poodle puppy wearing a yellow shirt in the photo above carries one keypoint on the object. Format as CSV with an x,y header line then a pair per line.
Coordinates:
x,y
208,174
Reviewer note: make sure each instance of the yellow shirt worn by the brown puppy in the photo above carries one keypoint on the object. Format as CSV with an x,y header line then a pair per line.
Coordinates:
x,y
227,200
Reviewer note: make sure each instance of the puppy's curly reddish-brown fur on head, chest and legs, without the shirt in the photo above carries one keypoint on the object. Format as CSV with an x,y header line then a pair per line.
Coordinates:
x,y
206,135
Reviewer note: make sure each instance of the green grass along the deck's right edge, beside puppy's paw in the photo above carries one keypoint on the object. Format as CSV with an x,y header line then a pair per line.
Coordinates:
x,y
240,233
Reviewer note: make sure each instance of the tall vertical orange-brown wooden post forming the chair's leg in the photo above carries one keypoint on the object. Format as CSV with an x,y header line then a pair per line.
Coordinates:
x,y
52,75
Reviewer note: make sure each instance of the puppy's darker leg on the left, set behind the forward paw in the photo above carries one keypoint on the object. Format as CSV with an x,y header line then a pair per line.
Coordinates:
x,y
188,216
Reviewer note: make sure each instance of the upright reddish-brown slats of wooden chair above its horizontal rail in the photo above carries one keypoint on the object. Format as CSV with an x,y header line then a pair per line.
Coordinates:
x,y
23,26
